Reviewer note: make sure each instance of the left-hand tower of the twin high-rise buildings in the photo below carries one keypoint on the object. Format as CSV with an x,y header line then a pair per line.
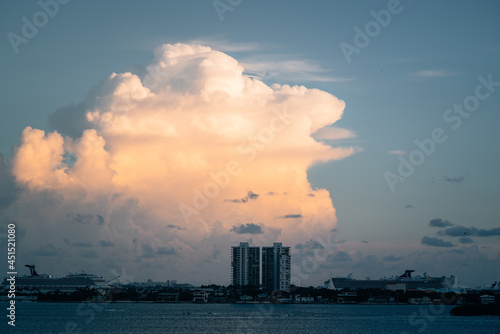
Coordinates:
x,y
245,265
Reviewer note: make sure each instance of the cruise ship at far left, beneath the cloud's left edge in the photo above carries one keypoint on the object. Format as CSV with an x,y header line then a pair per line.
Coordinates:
x,y
45,283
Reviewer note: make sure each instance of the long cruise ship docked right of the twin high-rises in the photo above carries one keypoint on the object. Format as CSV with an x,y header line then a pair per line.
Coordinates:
x,y
402,282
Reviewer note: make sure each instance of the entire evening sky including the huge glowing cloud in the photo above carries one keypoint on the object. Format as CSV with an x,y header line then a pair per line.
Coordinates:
x,y
143,140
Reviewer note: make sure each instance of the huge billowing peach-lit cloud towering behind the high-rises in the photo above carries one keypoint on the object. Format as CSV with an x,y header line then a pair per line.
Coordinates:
x,y
174,147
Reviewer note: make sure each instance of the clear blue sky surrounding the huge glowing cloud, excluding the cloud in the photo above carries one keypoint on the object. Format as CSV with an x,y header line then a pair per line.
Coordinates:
x,y
397,89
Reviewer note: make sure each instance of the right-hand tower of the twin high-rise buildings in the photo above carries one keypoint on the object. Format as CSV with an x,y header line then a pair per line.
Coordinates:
x,y
276,267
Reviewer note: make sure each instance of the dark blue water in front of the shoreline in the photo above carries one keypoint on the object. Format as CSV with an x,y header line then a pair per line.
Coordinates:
x,y
240,318
